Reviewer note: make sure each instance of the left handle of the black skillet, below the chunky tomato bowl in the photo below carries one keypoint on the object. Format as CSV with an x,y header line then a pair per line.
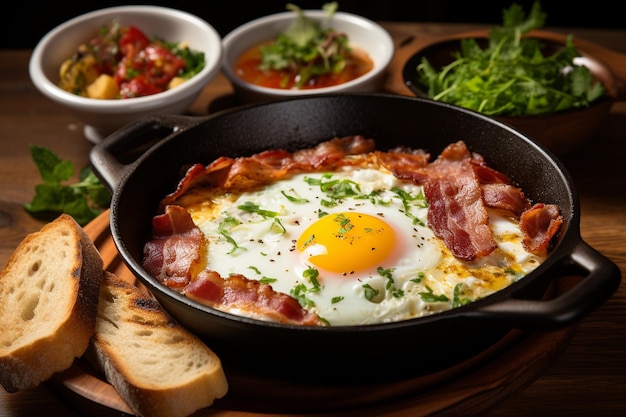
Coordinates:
x,y
112,158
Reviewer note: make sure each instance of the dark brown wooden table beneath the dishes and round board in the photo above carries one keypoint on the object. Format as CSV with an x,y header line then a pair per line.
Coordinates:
x,y
589,378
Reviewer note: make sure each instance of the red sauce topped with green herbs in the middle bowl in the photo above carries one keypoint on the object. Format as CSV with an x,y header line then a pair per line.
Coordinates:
x,y
306,55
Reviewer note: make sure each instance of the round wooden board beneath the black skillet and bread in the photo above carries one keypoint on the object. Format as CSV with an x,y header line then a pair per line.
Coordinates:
x,y
467,389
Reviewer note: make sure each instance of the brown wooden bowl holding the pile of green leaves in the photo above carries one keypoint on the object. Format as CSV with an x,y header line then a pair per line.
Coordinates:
x,y
560,132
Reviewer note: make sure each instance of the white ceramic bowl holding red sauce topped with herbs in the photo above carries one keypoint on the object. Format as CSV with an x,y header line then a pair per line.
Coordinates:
x,y
363,33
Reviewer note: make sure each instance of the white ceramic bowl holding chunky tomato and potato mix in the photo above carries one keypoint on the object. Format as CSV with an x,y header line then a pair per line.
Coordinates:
x,y
102,117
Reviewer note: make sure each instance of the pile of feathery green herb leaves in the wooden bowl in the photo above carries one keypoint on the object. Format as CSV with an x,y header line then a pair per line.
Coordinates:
x,y
512,76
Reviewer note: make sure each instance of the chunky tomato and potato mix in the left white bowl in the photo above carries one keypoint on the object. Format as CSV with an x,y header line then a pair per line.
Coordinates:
x,y
122,62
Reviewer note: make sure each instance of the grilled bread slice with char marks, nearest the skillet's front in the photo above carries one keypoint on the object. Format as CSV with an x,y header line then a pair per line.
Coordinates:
x,y
158,367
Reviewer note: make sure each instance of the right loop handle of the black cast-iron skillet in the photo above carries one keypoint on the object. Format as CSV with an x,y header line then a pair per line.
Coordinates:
x,y
600,279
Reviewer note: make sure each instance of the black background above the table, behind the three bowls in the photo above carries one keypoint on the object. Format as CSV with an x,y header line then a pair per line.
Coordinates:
x,y
23,23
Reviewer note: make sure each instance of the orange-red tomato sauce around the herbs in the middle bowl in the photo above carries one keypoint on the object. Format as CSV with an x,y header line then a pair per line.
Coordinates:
x,y
247,67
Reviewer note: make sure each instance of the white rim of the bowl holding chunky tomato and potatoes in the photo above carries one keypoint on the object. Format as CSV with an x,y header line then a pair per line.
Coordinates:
x,y
49,88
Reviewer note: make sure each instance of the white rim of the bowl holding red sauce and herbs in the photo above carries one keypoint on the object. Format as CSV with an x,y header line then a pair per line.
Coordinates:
x,y
317,14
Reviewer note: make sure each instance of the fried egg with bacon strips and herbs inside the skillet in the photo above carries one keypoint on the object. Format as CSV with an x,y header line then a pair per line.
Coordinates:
x,y
344,234
